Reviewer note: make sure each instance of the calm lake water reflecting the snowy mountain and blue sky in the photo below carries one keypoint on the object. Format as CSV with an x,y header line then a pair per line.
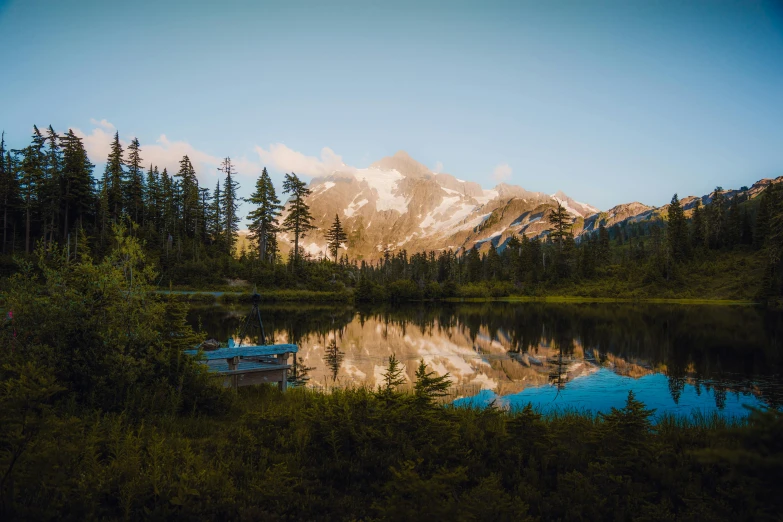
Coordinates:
x,y
675,358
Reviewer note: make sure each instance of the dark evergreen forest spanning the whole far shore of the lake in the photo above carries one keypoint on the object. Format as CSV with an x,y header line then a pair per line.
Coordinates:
x,y
49,195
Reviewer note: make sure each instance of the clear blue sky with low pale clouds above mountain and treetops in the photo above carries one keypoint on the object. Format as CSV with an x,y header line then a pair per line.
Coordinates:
x,y
609,101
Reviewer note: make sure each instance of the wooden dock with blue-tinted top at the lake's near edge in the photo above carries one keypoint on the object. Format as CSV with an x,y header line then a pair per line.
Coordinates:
x,y
249,365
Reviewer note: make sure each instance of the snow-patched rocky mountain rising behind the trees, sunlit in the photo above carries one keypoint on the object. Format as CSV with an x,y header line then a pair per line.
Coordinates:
x,y
399,203
